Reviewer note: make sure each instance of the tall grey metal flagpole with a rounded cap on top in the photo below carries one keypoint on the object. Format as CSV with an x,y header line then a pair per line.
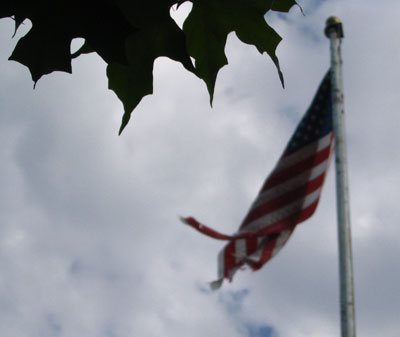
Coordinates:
x,y
334,32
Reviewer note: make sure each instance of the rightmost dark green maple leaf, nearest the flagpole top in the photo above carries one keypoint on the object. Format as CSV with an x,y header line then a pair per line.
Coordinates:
x,y
210,22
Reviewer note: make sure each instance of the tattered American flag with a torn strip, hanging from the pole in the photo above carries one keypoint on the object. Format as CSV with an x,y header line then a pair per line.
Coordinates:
x,y
289,195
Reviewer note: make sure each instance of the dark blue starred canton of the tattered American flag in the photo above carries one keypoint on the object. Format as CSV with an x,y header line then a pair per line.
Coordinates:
x,y
317,122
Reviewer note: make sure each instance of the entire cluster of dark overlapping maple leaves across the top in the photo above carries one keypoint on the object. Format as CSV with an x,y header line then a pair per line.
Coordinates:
x,y
130,34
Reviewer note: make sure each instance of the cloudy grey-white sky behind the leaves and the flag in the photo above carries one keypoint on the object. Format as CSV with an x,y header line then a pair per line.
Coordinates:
x,y
90,239
